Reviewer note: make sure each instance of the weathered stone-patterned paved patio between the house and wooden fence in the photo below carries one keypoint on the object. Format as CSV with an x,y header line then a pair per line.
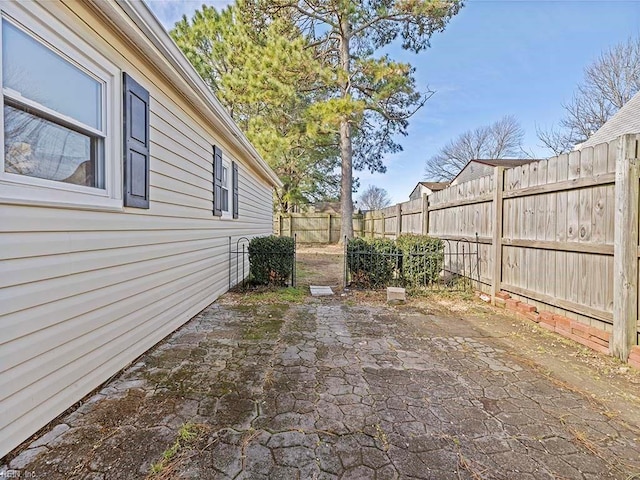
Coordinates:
x,y
330,389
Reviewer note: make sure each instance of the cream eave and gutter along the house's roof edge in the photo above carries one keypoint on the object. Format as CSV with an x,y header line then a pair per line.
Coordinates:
x,y
156,44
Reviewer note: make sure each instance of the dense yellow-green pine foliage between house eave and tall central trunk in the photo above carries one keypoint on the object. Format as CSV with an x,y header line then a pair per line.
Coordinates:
x,y
267,75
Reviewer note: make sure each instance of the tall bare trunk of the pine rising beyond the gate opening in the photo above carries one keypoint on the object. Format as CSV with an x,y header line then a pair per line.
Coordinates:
x,y
346,149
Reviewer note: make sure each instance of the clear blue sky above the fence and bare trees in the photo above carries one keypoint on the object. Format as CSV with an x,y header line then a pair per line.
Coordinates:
x,y
496,58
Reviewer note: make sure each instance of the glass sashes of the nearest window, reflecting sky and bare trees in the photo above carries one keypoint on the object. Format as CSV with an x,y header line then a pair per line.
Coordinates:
x,y
53,126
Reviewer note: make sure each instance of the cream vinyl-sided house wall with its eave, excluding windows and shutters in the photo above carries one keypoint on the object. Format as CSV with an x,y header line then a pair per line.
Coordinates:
x,y
84,291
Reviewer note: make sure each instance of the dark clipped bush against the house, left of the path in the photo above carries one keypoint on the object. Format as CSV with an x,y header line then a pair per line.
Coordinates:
x,y
271,260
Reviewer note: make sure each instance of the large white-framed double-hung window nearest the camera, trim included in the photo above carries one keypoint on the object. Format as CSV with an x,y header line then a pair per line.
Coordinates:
x,y
58,114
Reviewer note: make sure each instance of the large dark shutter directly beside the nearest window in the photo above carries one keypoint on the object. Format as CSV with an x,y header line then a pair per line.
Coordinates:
x,y
136,144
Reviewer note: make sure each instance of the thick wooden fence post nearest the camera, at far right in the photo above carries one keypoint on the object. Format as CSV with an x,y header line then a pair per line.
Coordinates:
x,y
625,252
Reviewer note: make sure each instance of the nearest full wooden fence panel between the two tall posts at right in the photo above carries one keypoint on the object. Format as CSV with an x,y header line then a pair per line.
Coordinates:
x,y
558,237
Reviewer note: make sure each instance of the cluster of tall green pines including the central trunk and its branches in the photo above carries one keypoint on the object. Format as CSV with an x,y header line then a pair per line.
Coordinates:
x,y
306,82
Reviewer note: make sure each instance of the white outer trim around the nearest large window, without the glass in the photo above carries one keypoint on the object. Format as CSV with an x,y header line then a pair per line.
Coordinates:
x,y
22,189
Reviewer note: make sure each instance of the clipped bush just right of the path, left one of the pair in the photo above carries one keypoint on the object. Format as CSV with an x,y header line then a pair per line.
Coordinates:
x,y
372,263
